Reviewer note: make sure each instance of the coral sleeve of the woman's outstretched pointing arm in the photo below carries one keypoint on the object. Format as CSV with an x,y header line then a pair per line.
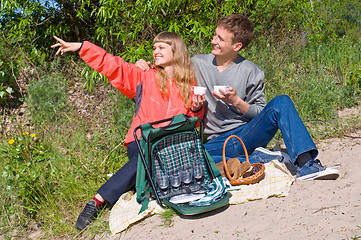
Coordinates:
x,y
122,75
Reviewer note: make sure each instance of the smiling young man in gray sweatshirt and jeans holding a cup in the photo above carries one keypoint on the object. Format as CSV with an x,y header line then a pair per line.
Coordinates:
x,y
241,110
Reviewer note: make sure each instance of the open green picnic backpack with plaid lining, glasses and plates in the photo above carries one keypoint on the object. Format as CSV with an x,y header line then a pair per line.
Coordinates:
x,y
175,169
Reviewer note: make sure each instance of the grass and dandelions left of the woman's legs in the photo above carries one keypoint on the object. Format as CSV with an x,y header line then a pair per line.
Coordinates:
x,y
47,178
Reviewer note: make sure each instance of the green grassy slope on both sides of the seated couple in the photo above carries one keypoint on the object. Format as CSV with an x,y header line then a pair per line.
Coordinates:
x,y
78,152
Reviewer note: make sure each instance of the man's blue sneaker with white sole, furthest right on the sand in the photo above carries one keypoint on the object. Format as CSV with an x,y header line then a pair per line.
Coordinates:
x,y
313,170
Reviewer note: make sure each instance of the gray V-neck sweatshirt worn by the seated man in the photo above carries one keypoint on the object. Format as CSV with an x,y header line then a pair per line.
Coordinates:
x,y
245,77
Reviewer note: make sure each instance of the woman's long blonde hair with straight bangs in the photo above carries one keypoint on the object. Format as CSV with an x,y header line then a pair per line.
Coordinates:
x,y
183,75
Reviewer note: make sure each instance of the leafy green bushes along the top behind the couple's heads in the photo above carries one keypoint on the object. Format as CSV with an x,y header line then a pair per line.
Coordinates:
x,y
128,28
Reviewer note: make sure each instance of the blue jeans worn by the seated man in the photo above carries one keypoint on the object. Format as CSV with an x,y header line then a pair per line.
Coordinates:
x,y
279,113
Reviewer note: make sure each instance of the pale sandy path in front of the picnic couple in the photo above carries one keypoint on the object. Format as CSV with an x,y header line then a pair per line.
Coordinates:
x,y
312,210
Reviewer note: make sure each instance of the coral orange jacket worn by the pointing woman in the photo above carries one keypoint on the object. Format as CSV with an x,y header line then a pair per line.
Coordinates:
x,y
138,85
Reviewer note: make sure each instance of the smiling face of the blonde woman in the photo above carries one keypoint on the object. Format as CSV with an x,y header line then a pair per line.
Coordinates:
x,y
162,54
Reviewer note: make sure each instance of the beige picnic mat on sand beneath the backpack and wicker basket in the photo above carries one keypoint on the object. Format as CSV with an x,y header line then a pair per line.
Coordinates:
x,y
277,183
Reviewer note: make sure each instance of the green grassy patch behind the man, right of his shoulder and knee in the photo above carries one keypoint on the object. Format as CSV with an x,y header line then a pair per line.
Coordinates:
x,y
320,78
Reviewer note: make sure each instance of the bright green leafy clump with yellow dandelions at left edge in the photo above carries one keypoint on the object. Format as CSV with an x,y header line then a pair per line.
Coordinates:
x,y
27,170
